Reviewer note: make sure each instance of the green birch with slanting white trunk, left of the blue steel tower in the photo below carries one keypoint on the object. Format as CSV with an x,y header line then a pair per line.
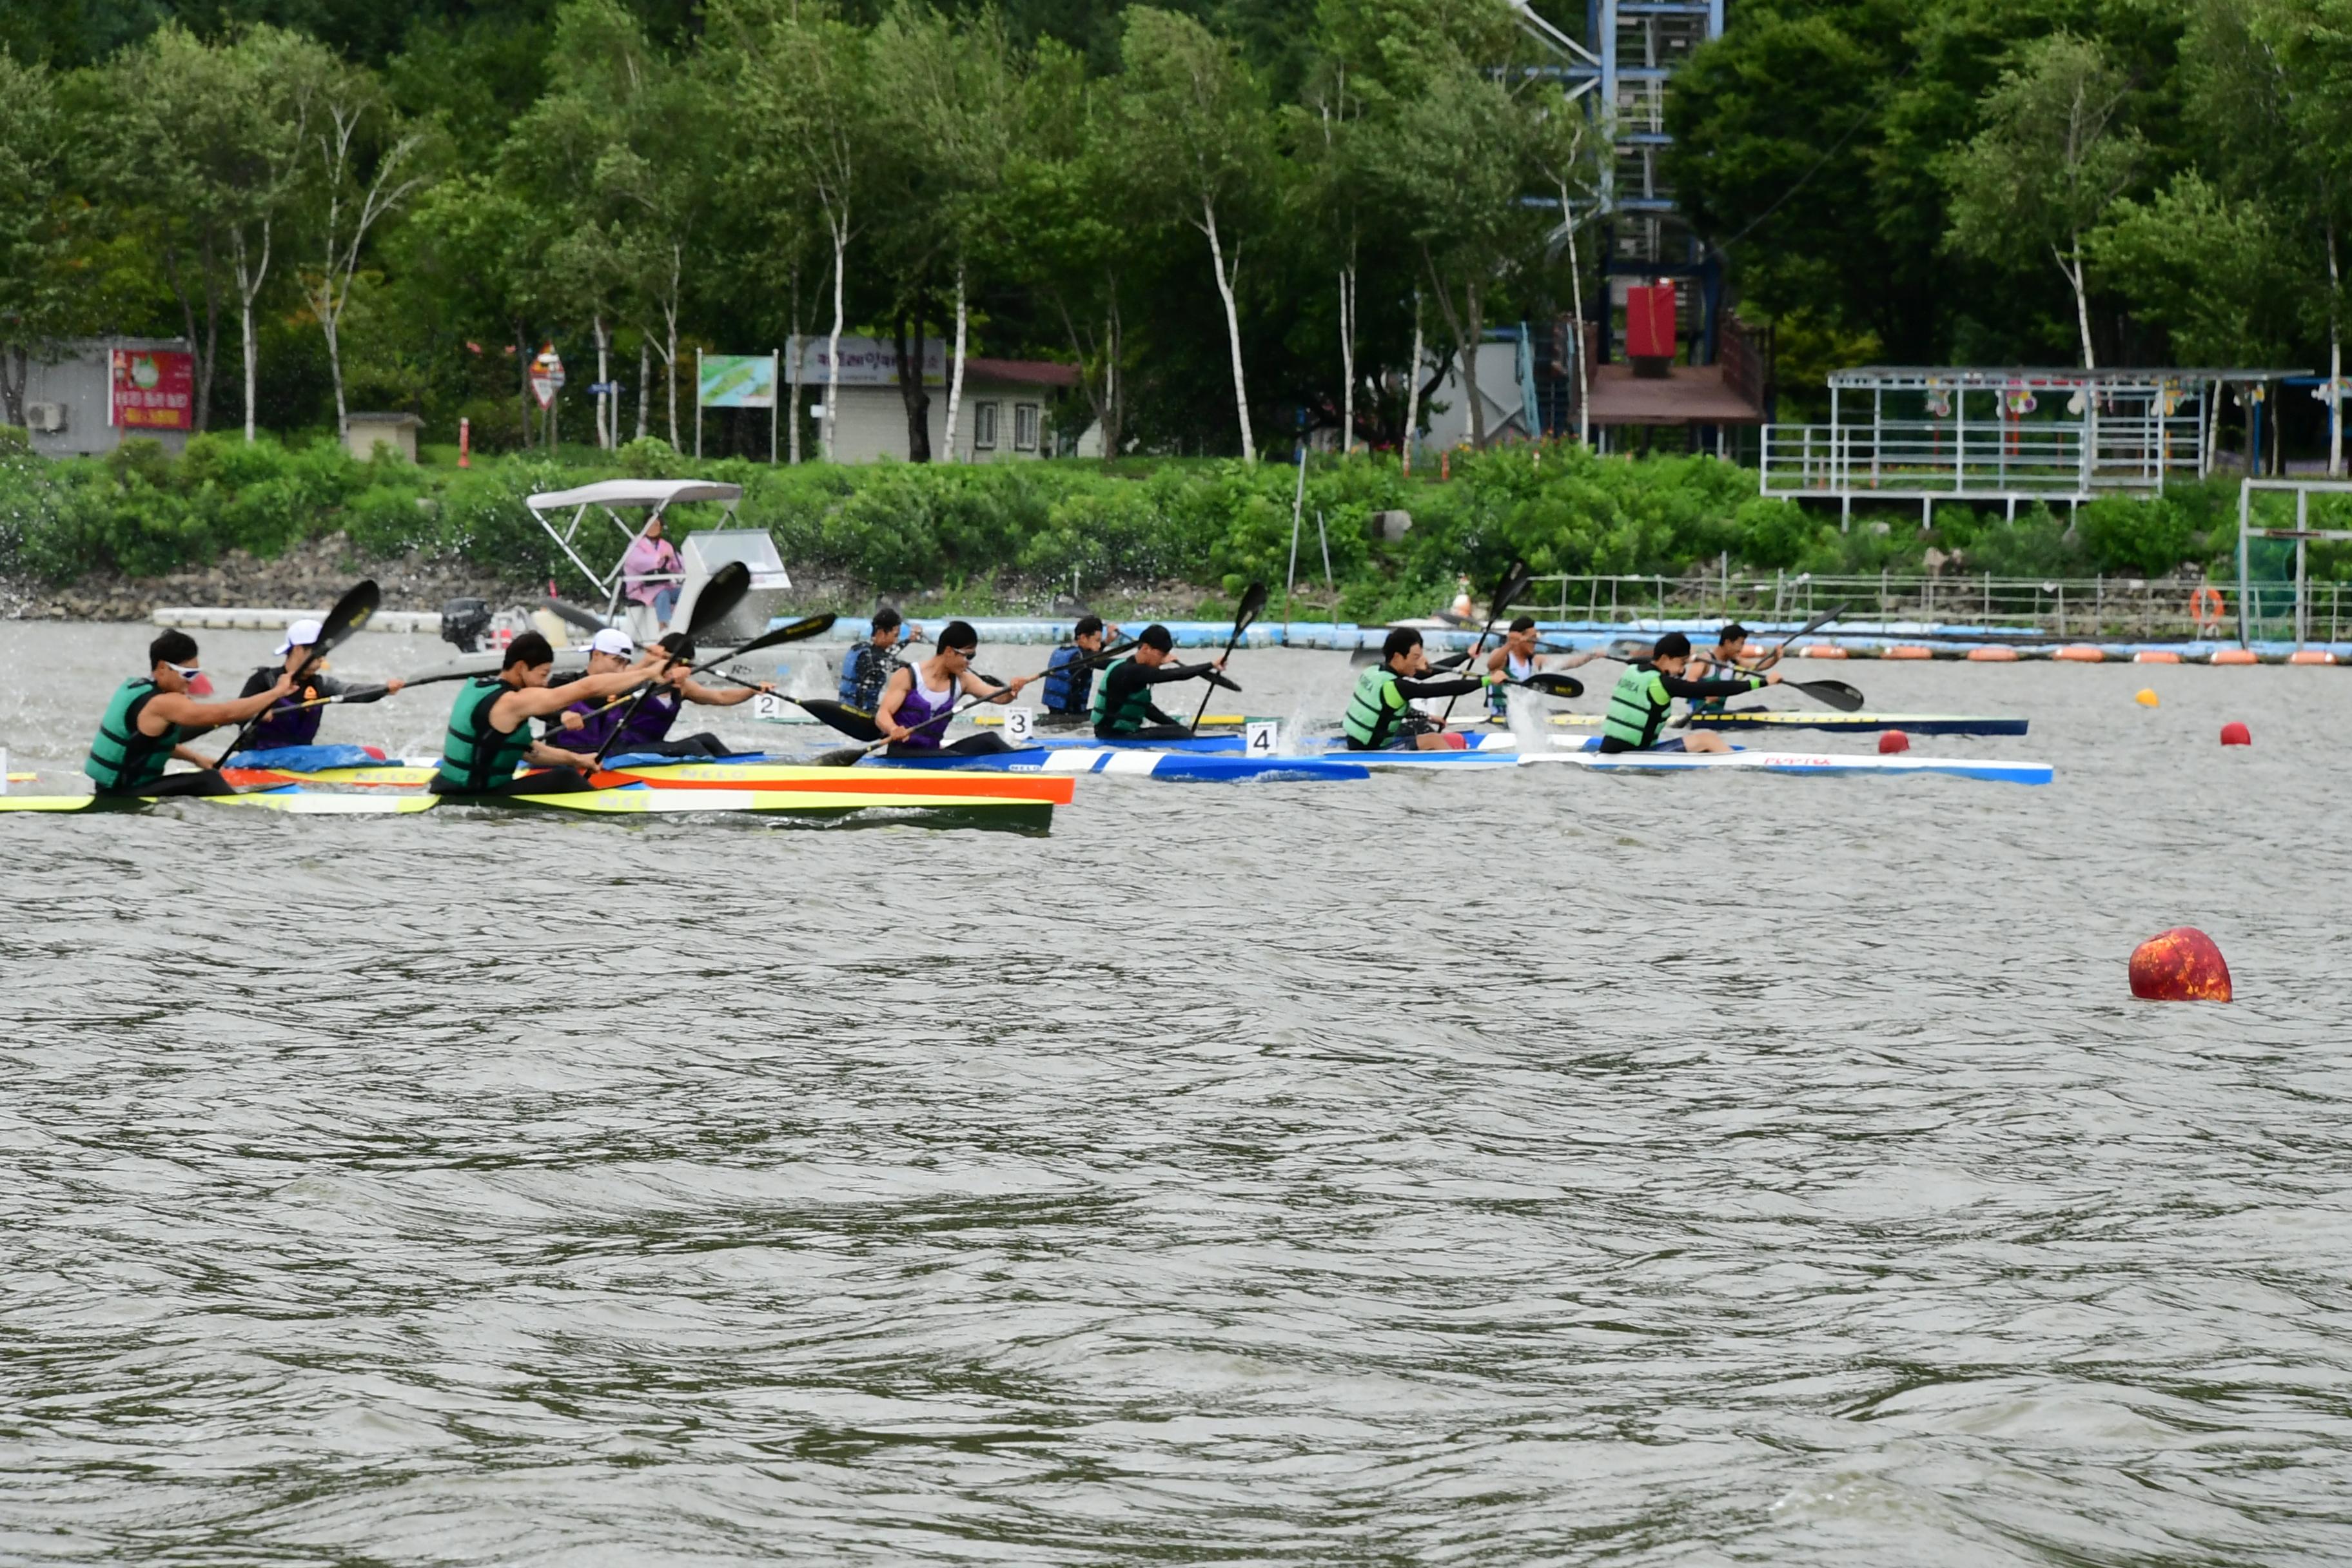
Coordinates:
x,y
1198,138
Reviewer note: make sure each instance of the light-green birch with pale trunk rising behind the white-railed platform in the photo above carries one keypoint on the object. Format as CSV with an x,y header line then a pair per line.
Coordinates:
x,y
2045,168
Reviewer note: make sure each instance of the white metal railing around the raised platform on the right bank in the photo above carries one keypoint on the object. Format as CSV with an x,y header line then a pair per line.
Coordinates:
x,y
1979,460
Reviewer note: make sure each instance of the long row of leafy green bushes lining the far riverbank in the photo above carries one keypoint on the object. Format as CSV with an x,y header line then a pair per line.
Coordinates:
x,y
923,530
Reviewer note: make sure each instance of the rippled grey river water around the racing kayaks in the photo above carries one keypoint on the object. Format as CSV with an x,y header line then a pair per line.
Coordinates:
x,y
1488,1170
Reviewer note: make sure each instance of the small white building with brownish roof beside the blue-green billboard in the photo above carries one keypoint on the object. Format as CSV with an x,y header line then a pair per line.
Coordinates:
x,y
1003,415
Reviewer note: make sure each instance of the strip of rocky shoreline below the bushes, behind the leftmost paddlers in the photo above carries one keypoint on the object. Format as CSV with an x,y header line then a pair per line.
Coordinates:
x,y
307,575
